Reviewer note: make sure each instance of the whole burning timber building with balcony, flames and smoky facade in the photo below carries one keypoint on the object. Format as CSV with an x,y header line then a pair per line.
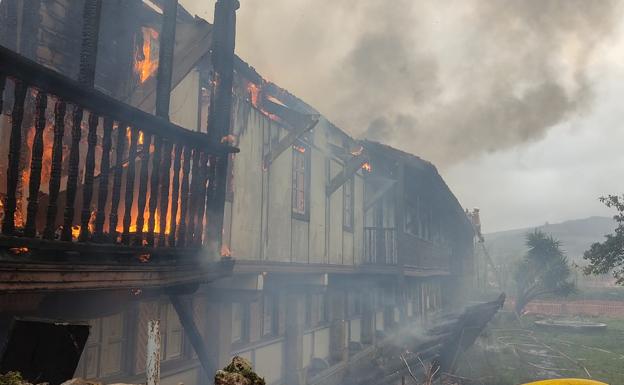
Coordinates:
x,y
320,248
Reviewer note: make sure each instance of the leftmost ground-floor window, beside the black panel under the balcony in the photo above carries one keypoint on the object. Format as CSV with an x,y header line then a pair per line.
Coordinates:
x,y
103,352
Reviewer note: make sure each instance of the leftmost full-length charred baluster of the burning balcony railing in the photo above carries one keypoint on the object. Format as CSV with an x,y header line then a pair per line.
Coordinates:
x,y
13,174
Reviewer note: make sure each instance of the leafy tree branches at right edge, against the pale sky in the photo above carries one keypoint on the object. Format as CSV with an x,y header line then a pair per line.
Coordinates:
x,y
608,256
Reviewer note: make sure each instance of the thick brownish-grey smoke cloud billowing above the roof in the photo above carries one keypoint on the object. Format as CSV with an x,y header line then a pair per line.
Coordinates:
x,y
444,79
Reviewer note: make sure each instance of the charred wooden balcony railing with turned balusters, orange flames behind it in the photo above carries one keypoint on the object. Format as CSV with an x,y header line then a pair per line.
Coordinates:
x,y
137,180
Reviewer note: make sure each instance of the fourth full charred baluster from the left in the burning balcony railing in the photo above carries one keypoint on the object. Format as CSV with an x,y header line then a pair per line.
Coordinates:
x,y
72,177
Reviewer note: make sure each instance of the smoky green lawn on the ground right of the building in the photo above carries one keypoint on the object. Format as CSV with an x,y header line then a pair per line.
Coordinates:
x,y
512,353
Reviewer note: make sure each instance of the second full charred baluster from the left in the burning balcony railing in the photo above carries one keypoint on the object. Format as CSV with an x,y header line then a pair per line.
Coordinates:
x,y
34,183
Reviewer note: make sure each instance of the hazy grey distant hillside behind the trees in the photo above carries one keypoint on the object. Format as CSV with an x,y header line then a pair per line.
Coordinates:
x,y
575,235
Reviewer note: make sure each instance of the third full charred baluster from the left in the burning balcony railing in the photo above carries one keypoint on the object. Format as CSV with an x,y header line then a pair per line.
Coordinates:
x,y
56,169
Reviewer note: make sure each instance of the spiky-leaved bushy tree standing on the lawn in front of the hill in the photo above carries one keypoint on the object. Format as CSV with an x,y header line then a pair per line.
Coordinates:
x,y
543,271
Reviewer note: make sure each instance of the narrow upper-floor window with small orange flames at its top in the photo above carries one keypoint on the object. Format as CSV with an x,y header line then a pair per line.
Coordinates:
x,y
300,180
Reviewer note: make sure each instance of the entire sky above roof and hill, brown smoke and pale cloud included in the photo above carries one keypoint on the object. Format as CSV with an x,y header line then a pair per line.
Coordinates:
x,y
518,103
